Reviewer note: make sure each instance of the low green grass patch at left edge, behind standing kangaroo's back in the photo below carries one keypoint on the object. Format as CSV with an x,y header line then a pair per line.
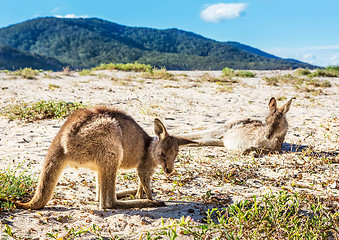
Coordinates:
x,y
40,110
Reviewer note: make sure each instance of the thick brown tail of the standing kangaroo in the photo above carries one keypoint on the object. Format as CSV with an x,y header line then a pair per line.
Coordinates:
x,y
53,166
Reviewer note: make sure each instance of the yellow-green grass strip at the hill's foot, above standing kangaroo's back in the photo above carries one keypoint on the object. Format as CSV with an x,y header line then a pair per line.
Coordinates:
x,y
128,67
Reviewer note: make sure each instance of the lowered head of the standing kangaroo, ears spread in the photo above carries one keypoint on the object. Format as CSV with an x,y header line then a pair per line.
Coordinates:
x,y
167,148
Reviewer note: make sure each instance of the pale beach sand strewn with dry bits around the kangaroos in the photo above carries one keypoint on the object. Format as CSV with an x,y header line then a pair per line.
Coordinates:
x,y
186,103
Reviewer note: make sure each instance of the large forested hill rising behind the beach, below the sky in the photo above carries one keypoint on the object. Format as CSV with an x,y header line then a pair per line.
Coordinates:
x,y
85,43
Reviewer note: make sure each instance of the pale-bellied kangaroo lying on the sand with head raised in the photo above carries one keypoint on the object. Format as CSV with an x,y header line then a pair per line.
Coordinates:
x,y
249,134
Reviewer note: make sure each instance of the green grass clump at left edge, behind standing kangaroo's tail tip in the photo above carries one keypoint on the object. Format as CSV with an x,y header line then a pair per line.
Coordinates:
x,y
15,185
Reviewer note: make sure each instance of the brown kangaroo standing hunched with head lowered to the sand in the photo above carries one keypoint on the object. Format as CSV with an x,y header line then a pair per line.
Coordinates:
x,y
105,140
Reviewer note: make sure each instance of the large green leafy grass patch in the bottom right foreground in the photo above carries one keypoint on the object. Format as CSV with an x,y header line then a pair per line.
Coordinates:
x,y
282,215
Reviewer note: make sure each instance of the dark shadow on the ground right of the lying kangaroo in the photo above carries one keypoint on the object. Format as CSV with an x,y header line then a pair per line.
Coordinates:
x,y
293,148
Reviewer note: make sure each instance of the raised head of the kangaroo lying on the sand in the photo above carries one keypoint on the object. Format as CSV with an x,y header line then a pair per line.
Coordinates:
x,y
276,120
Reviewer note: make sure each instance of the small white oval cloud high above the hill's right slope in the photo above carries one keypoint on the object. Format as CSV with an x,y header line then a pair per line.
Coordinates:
x,y
222,11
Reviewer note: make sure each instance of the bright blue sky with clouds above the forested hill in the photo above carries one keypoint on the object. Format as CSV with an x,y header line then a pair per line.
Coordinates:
x,y
306,30
